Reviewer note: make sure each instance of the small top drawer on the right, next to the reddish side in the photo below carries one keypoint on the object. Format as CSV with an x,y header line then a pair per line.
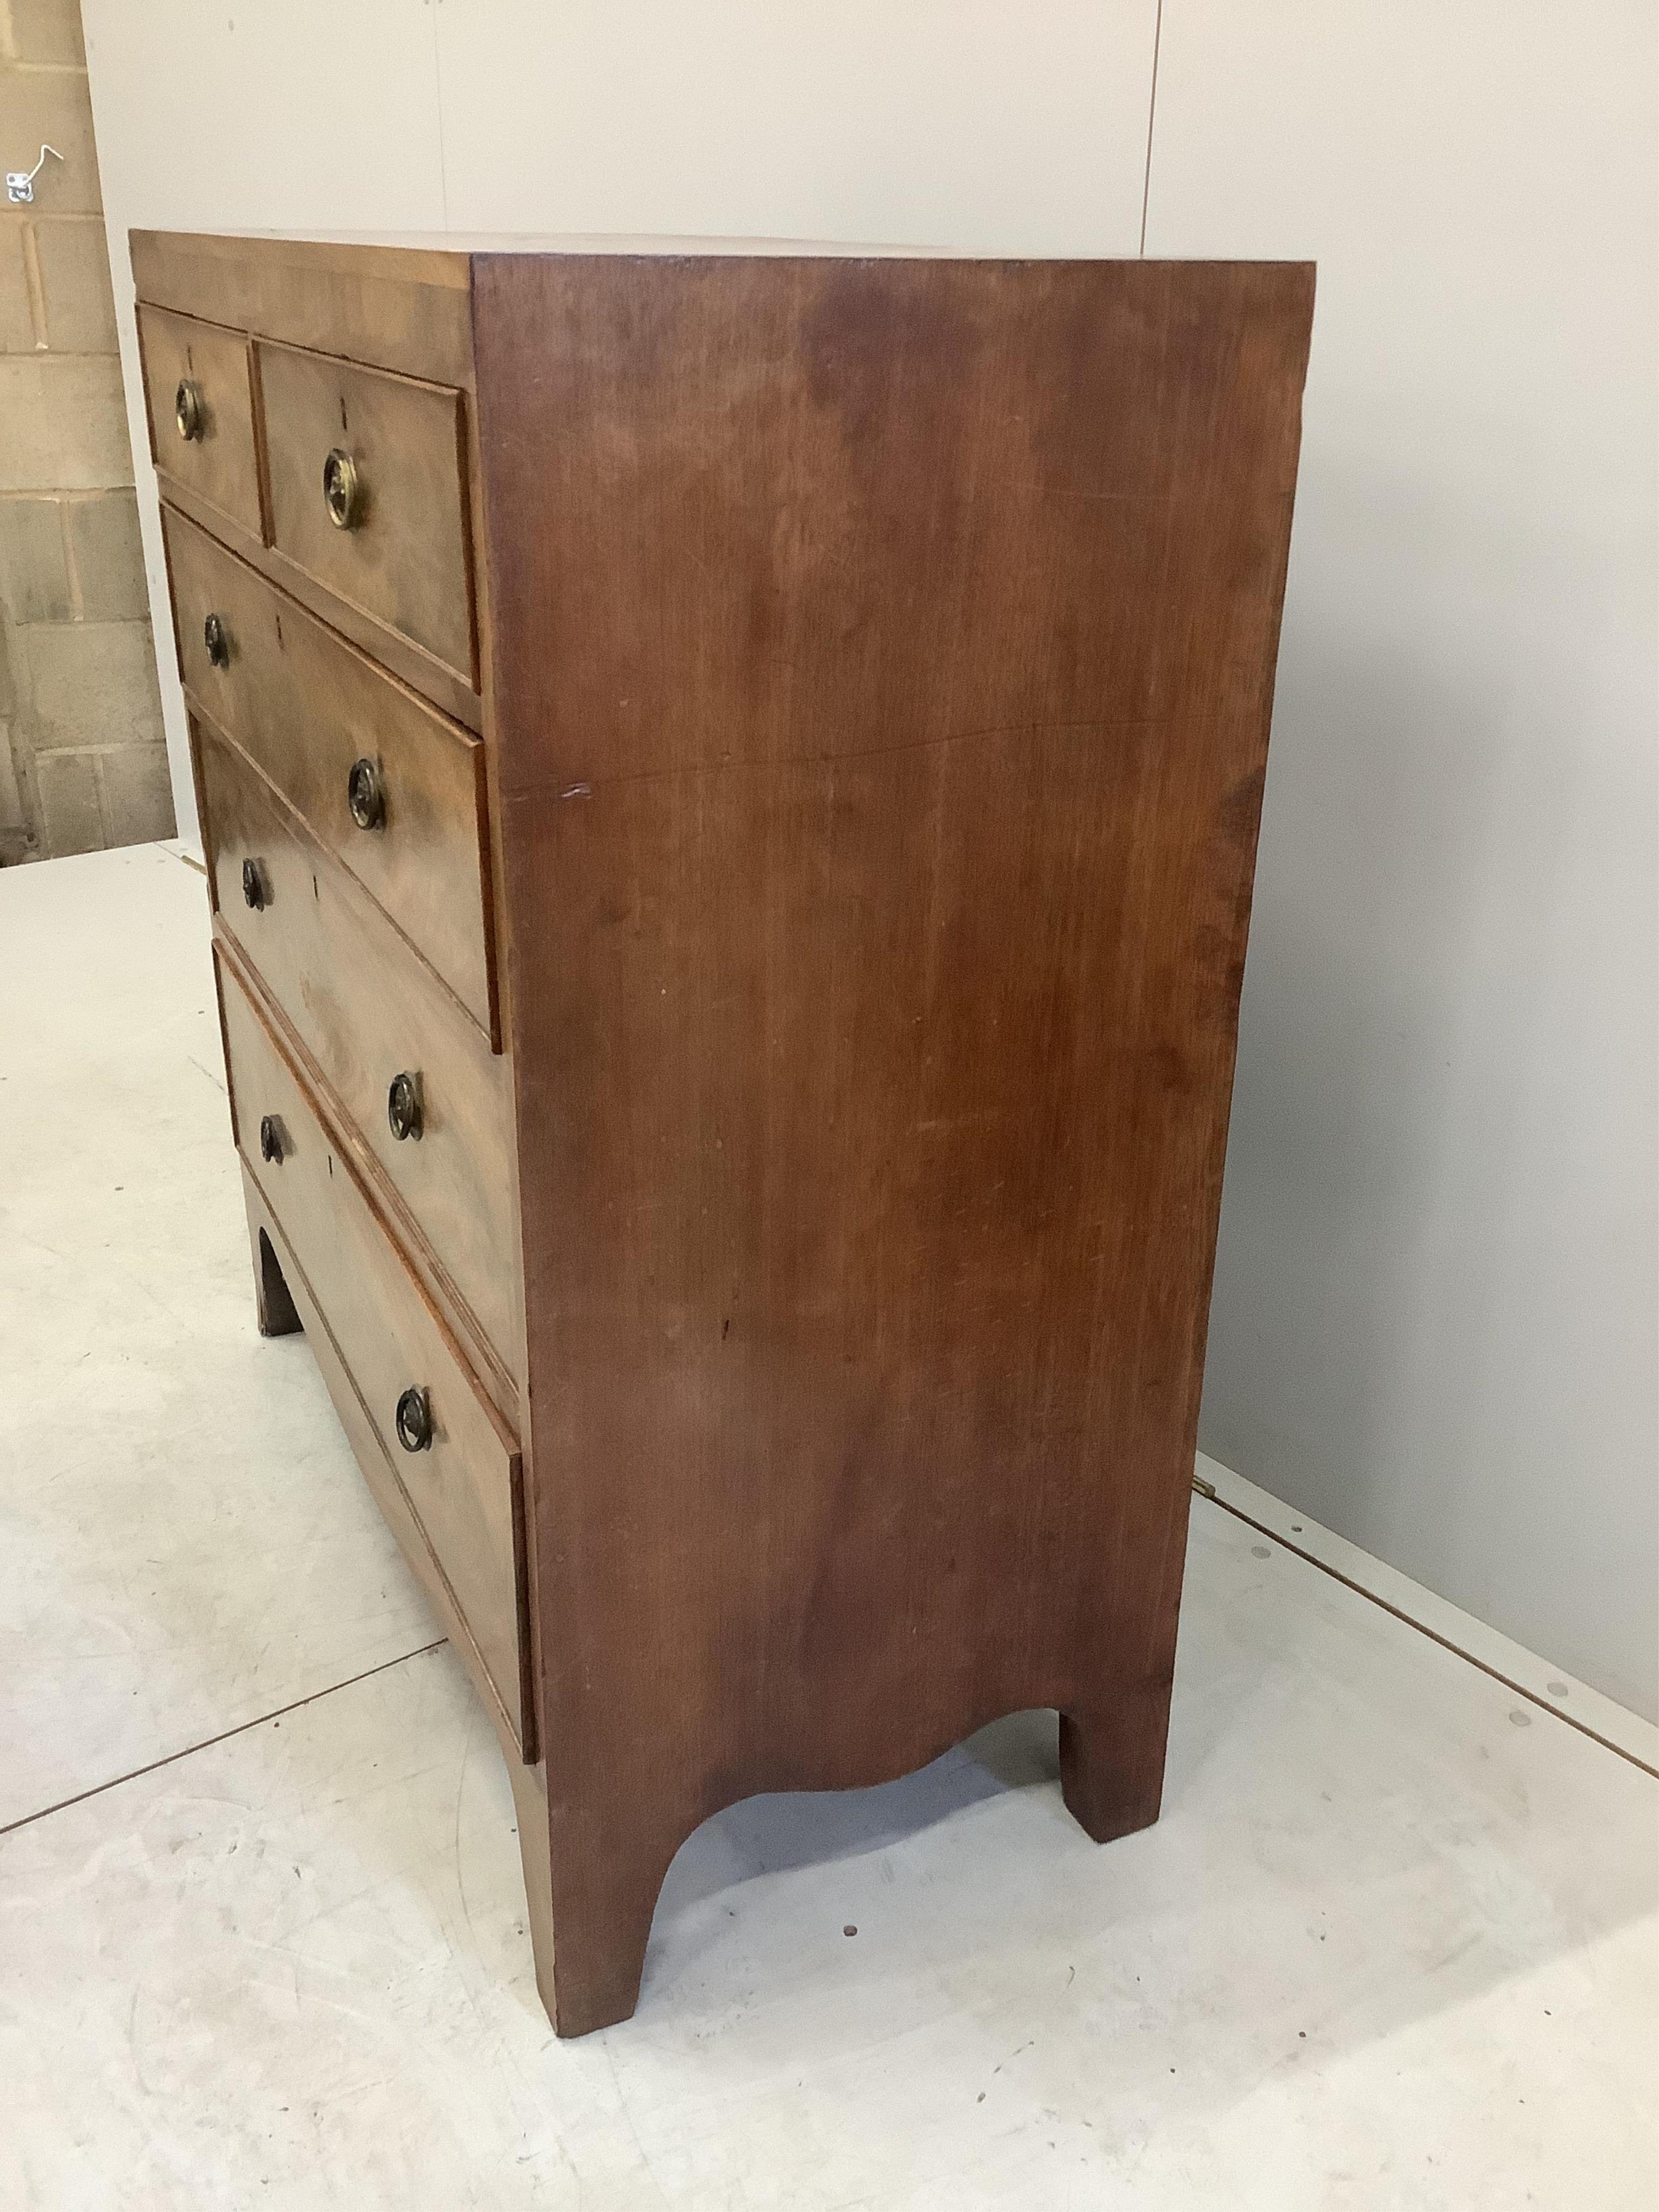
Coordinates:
x,y
395,541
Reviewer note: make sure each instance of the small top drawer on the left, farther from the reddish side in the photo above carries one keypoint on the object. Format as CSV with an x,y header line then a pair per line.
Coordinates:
x,y
198,390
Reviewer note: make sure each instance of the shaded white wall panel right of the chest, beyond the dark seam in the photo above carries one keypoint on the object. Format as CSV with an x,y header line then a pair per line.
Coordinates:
x,y
1434,1317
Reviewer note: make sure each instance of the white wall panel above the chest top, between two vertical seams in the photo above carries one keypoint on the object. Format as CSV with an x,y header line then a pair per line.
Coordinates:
x,y
919,123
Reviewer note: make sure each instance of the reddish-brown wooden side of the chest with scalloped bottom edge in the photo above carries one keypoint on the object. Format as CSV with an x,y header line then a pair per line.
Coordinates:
x,y
881,678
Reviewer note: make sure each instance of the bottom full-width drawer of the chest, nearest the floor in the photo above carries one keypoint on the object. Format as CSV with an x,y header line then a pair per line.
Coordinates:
x,y
466,1485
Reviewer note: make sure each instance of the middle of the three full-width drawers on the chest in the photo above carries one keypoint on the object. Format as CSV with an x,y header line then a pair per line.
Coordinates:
x,y
373,1019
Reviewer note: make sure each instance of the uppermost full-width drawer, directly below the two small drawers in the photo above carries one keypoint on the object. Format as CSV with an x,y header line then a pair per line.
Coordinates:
x,y
306,707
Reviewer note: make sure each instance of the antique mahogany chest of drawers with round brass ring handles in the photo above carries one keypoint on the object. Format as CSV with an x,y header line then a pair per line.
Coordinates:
x,y
731,793
